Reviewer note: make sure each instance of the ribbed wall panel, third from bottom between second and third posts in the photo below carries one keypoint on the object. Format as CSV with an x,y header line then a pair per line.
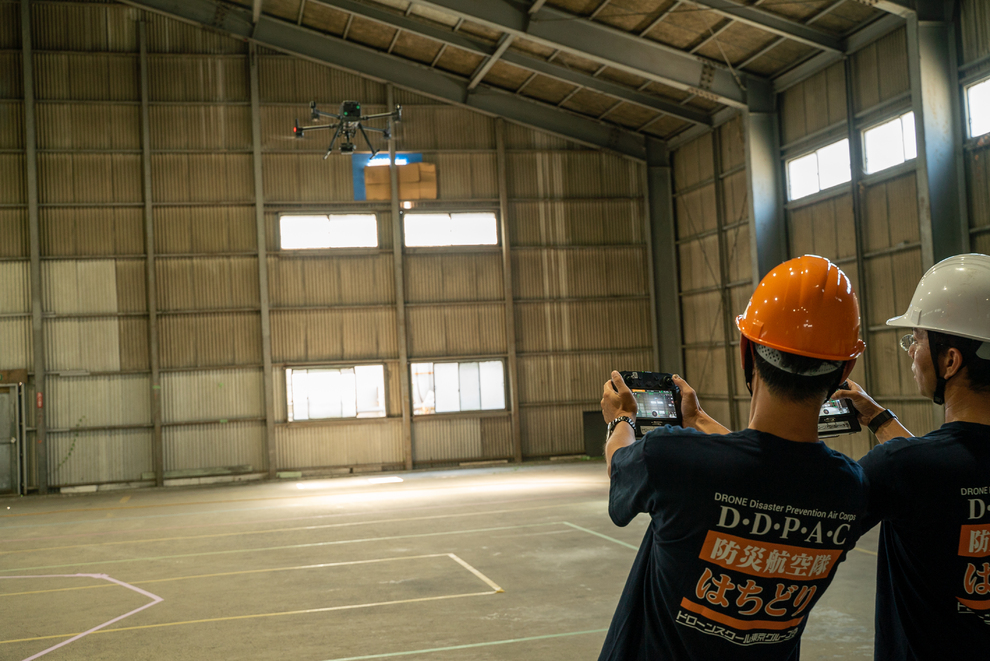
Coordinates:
x,y
210,340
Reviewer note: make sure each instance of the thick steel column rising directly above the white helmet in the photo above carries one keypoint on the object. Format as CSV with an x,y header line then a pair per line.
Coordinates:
x,y
934,75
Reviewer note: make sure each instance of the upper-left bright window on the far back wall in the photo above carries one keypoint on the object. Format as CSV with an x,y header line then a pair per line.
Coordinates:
x,y
299,232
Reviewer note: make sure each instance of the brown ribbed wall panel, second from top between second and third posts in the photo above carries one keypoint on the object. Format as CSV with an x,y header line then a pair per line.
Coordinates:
x,y
198,78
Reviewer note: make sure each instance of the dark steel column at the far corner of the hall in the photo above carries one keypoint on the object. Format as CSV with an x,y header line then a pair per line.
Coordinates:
x,y
663,240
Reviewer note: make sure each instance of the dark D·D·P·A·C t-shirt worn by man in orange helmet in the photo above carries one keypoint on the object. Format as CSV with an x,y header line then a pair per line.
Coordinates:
x,y
746,532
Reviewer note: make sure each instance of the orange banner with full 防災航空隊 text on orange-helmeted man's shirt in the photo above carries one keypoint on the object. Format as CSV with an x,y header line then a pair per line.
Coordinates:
x,y
768,559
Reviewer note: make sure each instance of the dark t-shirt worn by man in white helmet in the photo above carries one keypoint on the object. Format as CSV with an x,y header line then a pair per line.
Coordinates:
x,y
933,570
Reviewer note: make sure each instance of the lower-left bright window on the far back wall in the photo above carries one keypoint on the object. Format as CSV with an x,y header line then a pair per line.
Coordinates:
x,y
349,392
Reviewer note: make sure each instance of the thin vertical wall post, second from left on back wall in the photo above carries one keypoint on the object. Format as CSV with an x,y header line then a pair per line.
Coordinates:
x,y
157,452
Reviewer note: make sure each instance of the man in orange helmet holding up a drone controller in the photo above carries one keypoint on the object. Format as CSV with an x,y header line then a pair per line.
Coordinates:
x,y
748,527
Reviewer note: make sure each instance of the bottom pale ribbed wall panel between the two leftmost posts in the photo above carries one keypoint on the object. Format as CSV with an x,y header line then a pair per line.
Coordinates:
x,y
96,457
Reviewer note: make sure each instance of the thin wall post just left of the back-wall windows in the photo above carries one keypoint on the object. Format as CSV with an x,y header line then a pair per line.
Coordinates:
x,y
259,221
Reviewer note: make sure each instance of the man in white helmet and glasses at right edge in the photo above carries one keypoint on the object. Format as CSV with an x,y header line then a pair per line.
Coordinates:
x,y
933,493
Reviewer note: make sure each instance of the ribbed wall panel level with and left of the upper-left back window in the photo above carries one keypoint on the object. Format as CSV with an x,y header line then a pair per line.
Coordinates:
x,y
204,229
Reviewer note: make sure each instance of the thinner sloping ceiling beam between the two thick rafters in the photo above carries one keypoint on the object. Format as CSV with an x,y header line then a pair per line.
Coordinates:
x,y
516,58
